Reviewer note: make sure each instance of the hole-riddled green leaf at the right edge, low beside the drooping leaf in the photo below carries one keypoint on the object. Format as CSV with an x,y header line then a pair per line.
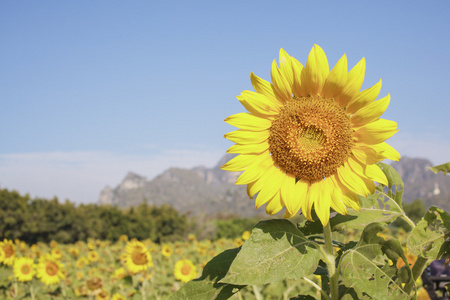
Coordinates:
x,y
429,237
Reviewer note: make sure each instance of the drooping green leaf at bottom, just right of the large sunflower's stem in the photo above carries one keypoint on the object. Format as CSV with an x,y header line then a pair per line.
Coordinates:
x,y
370,267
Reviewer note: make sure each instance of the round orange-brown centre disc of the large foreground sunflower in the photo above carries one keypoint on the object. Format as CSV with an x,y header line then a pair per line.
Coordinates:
x,y
310,138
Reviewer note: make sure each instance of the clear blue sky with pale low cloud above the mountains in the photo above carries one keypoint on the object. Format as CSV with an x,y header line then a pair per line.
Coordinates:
x,y
90,90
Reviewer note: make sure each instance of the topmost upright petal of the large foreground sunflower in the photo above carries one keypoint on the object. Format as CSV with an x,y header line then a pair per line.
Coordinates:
x,y
315,73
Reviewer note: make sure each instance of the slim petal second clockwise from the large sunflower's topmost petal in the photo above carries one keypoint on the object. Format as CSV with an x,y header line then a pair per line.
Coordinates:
x,y
354,82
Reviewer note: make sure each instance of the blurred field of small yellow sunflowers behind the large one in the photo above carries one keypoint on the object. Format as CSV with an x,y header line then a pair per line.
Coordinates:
x,y
133,269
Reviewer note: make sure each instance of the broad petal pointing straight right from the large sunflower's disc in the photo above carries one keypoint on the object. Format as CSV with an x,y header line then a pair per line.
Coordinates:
x,y
376,132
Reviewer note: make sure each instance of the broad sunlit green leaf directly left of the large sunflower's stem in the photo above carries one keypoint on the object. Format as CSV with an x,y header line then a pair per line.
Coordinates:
x,y
276,250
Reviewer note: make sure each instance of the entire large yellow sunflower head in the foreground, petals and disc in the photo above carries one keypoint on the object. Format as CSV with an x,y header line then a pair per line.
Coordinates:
x,y
311,138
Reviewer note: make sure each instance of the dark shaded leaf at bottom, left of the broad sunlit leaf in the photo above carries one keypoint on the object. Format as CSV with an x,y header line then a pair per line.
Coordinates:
x,y
207,286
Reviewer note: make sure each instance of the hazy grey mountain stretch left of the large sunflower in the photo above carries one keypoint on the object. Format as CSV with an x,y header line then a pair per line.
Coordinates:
x,y
196,190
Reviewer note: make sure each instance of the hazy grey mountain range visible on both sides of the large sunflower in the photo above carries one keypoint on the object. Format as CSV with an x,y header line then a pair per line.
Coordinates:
x,y
212,190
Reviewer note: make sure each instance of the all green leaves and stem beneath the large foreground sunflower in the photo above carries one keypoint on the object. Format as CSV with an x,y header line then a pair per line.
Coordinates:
x,y
376,267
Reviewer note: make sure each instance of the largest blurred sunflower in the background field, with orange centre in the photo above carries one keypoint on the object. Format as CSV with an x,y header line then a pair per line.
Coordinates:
x,y
137,257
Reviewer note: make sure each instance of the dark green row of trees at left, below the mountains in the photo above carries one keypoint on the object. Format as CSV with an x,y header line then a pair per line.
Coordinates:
x,y
41,220
